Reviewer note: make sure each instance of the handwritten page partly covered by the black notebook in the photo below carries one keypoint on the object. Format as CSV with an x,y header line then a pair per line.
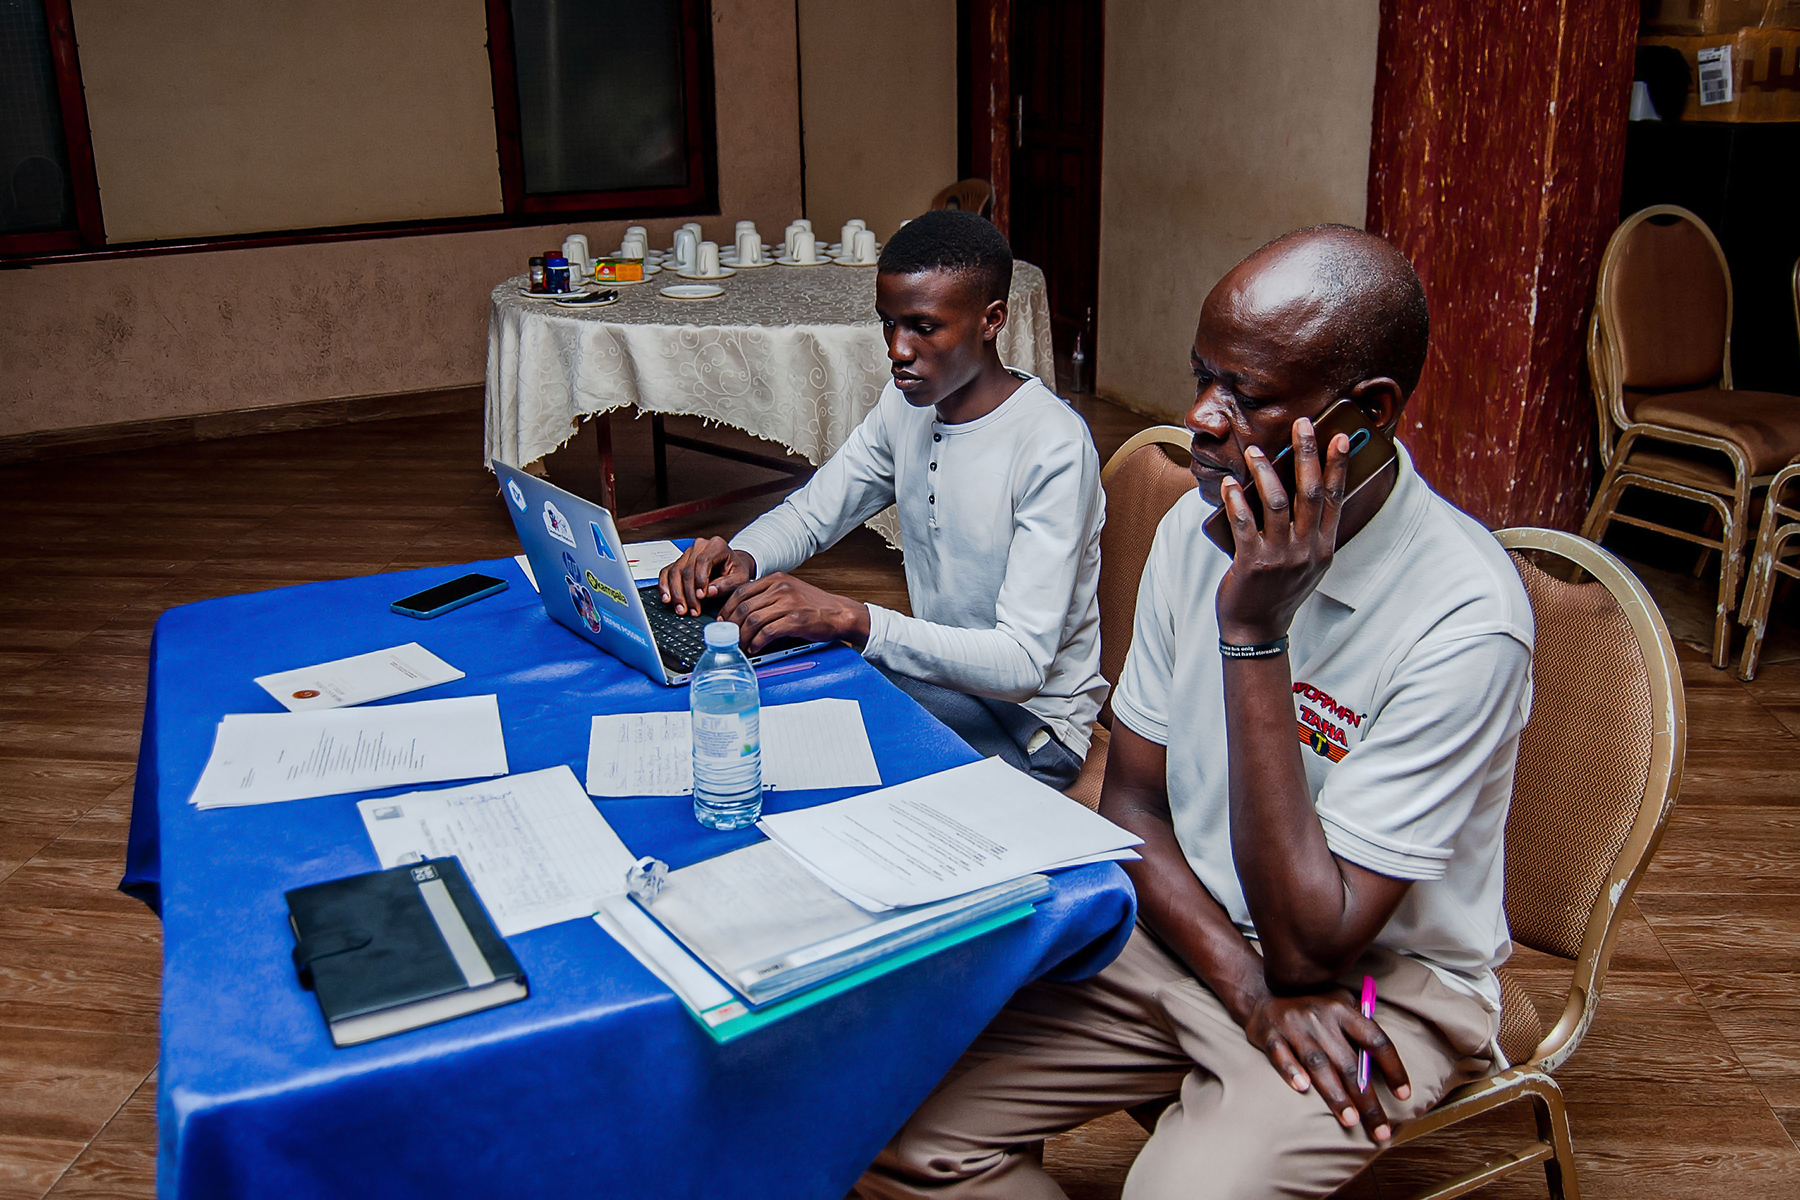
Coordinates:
x,y
534,846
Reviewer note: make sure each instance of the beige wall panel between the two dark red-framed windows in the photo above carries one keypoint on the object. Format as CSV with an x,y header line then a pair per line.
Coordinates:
x,y
224,118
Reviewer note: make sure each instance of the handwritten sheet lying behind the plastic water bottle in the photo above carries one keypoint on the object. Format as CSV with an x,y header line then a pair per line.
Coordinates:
x,y
814,744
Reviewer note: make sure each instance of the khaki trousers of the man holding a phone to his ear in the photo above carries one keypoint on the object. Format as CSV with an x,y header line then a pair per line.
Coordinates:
x,y
1144,1030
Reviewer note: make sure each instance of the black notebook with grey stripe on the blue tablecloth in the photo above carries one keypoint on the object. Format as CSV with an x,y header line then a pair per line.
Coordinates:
x,y
393,951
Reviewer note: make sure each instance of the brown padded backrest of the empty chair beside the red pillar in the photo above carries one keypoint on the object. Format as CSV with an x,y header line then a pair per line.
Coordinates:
x,y
1666,303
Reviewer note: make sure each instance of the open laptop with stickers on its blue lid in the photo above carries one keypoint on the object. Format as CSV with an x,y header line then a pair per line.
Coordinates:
x,y
588,586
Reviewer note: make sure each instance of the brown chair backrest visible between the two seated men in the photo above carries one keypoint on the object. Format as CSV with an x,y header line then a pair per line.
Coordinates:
x,y
1142,485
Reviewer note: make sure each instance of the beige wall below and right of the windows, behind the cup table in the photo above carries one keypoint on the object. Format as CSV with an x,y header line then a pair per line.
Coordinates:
x,y
188,334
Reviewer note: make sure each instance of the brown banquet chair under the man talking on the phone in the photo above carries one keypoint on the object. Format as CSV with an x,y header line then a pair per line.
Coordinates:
x,y
1599,771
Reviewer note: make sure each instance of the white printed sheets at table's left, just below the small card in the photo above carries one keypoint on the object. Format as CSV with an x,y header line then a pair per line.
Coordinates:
x,y
262,758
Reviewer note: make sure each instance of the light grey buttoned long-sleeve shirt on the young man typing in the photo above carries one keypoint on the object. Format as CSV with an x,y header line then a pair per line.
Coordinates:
x,y
1000,524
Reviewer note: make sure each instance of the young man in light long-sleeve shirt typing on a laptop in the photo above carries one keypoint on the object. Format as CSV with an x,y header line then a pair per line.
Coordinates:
x,y
998,488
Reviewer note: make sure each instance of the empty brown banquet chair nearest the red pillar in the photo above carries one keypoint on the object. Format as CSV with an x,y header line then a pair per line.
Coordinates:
x,y
1660,361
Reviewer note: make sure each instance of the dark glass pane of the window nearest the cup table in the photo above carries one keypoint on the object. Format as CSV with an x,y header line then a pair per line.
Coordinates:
x,y
600,94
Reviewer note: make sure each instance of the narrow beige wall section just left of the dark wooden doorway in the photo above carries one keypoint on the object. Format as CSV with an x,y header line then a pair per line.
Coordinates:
x,y
879,96
